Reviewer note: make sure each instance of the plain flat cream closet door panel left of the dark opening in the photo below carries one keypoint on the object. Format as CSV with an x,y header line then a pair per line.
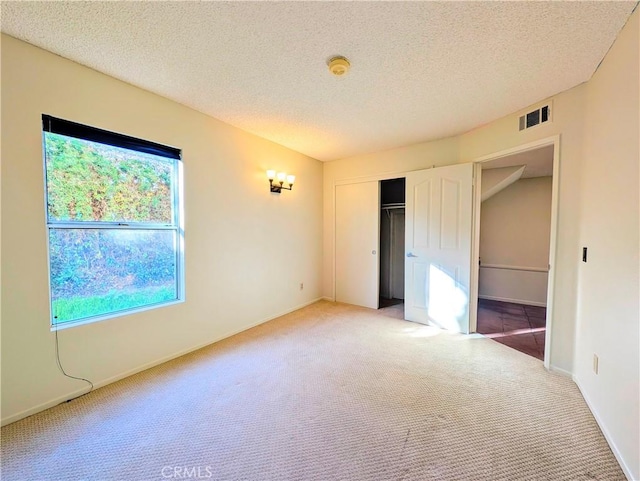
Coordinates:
x,y
357,239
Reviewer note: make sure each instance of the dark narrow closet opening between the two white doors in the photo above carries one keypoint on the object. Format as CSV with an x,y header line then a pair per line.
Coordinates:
x,y
392,227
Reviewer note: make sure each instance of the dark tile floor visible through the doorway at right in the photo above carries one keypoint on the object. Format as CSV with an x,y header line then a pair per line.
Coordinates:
x,y
515,325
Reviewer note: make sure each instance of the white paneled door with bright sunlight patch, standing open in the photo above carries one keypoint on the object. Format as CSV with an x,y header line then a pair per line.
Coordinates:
x,y
438,246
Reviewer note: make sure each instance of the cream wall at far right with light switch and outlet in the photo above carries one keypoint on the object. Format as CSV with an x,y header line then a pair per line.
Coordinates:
x,y
608,323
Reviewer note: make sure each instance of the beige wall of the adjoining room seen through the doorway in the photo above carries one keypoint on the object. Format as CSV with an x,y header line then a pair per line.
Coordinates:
x,y
515,225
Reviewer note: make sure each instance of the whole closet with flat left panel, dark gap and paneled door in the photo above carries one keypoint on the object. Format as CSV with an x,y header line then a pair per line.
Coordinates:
x,y
407,242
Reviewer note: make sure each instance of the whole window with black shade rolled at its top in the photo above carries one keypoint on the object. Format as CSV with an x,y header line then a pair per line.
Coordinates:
x,y
113,219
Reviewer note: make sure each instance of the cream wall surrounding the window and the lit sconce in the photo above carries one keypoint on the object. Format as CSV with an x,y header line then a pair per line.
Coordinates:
x,y
246,250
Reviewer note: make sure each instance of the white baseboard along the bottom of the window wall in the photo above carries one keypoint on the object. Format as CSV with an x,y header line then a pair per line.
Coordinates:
x,y
97,384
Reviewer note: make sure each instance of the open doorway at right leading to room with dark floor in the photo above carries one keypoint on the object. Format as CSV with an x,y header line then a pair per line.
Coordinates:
x,y
516,206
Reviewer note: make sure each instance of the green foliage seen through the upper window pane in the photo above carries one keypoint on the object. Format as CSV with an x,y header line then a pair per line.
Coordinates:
x,y
88,181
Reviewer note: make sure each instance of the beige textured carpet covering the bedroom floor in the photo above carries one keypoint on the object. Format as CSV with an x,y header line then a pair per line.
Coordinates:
x,y
330,392
